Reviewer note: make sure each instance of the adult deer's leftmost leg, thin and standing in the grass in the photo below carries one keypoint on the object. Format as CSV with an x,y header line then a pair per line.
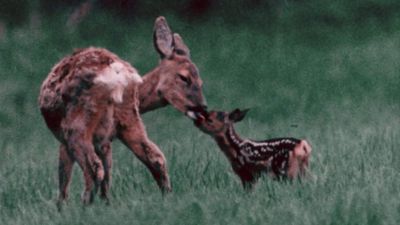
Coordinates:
x,y
65,165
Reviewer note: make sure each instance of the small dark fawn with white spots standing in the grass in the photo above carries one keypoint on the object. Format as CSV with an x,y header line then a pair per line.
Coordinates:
x,y
278,157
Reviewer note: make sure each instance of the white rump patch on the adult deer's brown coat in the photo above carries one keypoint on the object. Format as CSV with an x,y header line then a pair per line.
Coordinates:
x,y
116,77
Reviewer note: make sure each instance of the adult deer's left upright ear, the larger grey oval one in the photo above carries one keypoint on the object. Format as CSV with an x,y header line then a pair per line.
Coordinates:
x,y
162,37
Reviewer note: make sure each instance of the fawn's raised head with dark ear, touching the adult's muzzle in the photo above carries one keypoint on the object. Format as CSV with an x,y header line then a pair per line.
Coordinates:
x,y
217,122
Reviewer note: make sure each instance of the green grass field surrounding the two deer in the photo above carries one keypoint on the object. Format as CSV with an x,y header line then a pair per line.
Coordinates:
x,y
337,87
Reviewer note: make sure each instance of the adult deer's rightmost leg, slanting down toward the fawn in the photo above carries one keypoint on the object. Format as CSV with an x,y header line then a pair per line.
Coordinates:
x,y
135,138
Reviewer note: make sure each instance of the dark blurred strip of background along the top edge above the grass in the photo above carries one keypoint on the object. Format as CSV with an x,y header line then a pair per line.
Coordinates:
x,y
303,12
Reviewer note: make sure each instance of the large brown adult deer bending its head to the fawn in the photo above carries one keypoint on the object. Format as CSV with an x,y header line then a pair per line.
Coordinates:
x,y
92,96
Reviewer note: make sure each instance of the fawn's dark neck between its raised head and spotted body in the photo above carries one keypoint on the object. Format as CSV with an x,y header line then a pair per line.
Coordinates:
x,y
229,142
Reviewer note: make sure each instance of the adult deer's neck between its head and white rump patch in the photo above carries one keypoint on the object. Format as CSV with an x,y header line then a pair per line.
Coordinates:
x,y
148,96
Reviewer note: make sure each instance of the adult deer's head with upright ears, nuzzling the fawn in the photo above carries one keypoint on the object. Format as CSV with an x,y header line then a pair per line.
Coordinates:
x,y
179,81
